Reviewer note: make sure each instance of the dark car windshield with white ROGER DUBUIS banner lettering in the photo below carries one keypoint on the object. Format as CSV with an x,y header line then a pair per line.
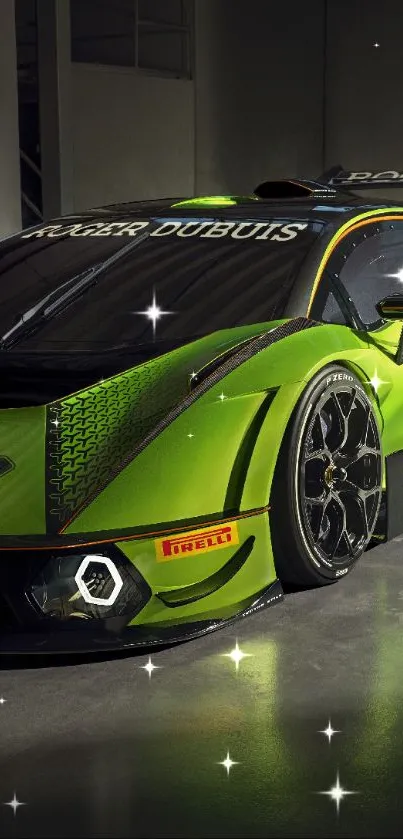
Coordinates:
x,y
179,279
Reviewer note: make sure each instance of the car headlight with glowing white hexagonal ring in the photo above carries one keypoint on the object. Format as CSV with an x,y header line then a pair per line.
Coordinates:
x,y
88,586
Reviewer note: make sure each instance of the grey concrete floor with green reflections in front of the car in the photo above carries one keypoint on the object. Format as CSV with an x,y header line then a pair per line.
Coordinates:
x,y
100,749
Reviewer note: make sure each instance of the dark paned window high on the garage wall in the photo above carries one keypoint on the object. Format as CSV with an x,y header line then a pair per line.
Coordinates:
x,y
147,34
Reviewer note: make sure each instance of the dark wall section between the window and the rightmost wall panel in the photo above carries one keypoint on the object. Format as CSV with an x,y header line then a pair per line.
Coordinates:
x,y
259,92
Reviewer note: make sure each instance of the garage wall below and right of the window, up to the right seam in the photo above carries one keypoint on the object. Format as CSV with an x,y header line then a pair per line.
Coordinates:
x,y
139,136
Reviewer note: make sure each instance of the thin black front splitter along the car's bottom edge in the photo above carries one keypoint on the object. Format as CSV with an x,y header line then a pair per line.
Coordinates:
x,y
88,640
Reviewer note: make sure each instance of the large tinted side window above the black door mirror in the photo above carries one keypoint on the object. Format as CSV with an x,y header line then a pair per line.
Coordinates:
x,y
372,267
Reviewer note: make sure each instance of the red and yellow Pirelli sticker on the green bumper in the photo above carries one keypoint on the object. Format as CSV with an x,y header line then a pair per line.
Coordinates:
x,y
197,542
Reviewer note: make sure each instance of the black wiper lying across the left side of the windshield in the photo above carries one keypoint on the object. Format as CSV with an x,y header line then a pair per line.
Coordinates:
x,y
54,303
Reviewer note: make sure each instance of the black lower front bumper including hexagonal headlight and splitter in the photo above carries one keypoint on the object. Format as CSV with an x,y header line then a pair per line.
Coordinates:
x,y
34,620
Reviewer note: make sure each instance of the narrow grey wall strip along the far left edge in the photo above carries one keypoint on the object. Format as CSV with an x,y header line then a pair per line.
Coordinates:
x,y
10,207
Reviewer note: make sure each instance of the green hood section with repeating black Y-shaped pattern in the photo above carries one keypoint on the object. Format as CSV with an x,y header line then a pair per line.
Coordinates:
x,y
92,433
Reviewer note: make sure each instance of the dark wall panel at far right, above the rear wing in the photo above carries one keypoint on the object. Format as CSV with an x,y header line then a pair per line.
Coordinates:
x,y
364,114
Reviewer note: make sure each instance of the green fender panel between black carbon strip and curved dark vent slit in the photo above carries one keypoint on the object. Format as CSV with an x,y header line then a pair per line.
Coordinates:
x,y
177,477
